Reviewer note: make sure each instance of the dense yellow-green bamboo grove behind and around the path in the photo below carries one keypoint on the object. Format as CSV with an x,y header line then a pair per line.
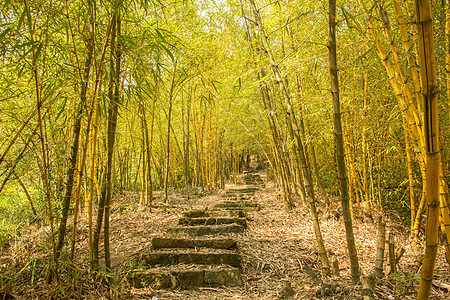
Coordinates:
x,y
103,97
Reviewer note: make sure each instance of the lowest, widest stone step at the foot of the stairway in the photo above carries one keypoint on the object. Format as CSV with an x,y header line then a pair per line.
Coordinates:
x,y
174,277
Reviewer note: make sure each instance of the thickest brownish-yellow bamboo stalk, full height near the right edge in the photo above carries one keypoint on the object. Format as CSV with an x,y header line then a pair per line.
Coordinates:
x,y
424,21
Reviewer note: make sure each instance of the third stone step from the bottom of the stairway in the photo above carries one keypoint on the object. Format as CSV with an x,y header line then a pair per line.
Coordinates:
x,y
159,243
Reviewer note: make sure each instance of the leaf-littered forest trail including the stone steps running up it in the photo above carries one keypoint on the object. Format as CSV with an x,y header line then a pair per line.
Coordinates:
x,y
273,252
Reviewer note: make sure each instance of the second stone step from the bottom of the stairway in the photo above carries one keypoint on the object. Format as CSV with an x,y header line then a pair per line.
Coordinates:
x,y
171,257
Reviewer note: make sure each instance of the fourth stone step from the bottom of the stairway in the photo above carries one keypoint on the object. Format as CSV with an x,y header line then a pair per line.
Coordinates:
x,y
206,230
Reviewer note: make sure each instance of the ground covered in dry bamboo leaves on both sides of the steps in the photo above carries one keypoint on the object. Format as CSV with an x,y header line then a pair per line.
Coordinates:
x,y
275,249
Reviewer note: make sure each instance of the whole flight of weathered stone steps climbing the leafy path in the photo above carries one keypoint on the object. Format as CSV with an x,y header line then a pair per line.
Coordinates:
x,y
202,250
